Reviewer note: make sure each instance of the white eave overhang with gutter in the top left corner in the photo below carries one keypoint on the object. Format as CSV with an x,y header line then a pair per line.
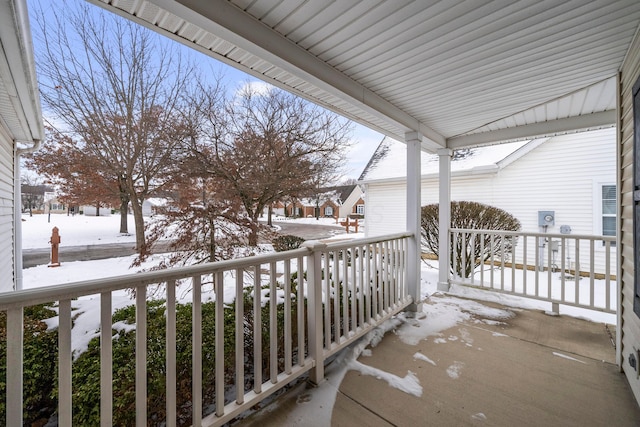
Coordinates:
x,y
17,68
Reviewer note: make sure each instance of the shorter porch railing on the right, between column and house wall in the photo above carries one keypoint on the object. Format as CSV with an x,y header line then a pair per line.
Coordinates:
x,y
575,270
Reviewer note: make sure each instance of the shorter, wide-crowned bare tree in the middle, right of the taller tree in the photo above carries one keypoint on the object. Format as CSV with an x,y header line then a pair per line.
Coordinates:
x,y
275,145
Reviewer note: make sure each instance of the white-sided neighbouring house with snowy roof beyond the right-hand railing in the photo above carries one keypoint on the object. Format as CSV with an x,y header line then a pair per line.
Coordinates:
x,y
573,176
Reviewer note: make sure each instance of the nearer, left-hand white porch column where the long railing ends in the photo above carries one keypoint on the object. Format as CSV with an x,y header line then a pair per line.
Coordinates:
x,y
414,172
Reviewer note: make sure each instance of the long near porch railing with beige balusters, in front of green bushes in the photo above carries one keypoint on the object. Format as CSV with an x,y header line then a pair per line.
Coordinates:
x,y
272,318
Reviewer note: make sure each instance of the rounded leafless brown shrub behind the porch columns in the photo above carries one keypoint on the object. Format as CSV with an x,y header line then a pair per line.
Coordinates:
x,y
469,215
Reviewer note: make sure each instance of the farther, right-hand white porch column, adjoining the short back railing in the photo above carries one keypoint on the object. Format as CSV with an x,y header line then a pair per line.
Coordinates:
x,y
444,177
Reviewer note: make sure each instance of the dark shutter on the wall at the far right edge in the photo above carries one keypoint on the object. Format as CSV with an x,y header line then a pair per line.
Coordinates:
x,y
636,196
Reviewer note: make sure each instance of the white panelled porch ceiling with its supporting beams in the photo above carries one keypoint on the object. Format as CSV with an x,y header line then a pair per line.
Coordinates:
x,y
461,73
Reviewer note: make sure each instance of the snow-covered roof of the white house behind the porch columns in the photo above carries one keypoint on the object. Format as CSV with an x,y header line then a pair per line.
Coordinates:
x,y
389,161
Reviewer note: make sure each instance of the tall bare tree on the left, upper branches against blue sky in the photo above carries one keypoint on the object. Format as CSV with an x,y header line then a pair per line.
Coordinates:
x,y
118,87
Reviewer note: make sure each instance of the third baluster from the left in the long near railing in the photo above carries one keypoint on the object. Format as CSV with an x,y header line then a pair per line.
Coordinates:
x,y
106,361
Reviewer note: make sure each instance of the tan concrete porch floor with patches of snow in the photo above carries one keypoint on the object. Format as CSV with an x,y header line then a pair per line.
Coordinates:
x,y
529,370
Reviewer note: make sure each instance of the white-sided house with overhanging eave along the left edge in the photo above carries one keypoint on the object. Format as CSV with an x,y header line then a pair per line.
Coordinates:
x,y
20,130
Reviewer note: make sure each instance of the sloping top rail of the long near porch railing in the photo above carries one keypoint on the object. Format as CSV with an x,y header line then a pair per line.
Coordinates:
x,y
46,294
